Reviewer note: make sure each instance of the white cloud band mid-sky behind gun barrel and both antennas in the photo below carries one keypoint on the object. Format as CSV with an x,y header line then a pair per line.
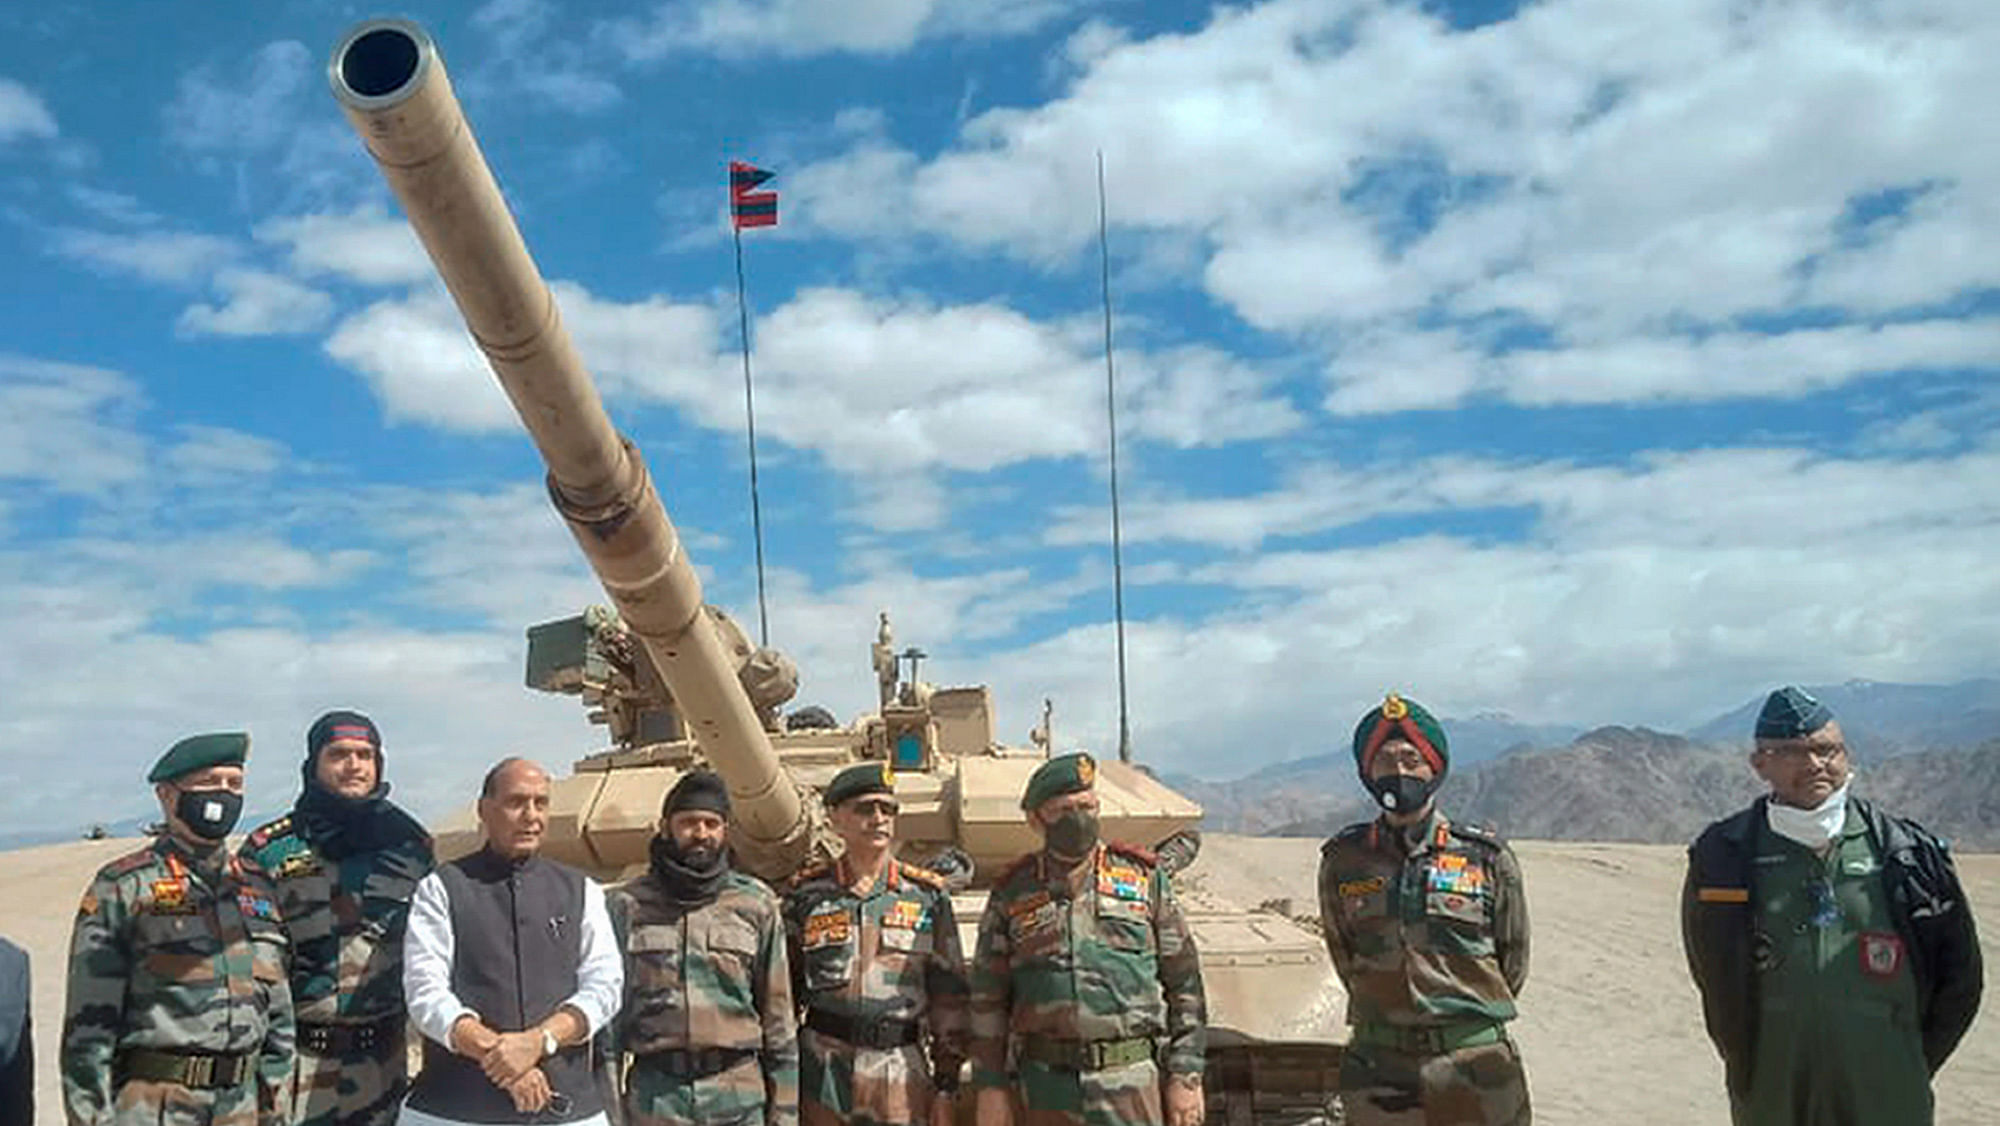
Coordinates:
x,y
877,387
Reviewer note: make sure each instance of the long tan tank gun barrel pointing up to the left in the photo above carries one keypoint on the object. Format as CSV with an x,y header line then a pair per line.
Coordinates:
x,y
391,83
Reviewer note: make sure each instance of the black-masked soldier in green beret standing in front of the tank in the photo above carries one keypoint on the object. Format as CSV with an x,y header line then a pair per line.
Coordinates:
x,y
1087,969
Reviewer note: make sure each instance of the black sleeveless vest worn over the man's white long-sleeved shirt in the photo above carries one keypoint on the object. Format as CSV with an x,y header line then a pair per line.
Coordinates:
x,y
517,945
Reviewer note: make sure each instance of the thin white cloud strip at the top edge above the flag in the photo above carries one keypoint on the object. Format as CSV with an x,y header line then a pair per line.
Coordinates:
x,y
797,29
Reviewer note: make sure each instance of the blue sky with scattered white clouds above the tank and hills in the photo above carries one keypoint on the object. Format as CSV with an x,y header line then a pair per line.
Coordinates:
x,y
1585,361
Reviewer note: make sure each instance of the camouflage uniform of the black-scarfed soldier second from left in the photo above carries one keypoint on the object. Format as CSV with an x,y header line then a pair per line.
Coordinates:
x,y
345,921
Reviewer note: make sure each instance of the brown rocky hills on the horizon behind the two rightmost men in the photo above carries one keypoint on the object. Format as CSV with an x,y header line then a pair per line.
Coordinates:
x,y
1645,787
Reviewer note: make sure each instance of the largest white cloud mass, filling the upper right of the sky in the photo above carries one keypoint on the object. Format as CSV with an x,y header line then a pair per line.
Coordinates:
x,y
1625,179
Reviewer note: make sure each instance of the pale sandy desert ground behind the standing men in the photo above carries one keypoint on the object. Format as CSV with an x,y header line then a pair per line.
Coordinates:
x,y
1609,1023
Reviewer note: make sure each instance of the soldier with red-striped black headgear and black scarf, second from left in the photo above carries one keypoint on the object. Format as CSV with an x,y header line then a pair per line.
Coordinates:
x,y
347,863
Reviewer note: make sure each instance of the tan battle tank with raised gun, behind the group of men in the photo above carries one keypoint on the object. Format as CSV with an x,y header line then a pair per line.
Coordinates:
x,y
677,683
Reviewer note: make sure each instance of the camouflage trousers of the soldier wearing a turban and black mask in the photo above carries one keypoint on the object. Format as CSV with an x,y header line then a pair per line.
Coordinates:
x,y
1473,1087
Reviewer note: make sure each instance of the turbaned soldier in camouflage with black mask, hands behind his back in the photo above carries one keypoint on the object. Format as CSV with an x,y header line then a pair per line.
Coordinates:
x,y
1429,929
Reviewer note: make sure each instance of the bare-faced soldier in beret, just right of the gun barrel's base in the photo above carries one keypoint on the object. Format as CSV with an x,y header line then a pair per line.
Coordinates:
x,y
875,963
